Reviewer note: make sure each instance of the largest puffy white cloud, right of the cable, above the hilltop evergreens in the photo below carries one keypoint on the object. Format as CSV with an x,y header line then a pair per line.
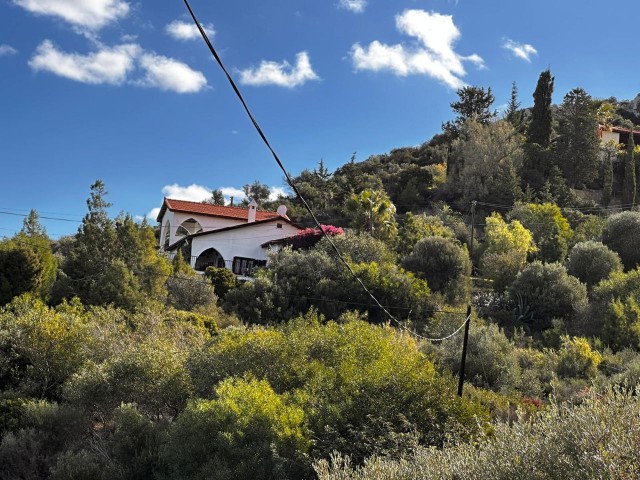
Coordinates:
x,y
434,56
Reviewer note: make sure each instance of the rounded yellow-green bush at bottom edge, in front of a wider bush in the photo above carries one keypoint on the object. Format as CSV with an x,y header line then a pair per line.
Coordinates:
x,y
246,431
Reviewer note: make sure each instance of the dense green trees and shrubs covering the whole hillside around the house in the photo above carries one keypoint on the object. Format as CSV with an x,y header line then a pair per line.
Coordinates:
x,y
116,362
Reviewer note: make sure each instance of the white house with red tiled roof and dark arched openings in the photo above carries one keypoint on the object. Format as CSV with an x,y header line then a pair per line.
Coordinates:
x,y
237,238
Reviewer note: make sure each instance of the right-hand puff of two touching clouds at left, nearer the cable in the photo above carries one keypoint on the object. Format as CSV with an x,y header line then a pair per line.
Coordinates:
x,y
170,74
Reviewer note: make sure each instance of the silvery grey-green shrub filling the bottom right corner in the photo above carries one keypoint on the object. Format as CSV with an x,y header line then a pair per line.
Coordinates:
x,y
598,439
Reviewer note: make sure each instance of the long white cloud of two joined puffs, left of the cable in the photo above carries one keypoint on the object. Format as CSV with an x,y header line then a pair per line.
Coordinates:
x,y
116,65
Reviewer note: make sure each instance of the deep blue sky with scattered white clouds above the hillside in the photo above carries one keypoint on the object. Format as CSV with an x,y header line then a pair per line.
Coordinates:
x,y
125,92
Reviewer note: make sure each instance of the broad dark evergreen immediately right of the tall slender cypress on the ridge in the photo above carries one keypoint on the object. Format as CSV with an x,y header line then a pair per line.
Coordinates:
x,y
577,149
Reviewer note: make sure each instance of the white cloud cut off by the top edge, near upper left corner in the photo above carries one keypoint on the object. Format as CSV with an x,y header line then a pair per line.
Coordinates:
x,y
89,14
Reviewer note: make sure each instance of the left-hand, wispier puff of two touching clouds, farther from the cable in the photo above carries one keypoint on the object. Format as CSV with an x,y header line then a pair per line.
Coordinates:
x,y
108,65
